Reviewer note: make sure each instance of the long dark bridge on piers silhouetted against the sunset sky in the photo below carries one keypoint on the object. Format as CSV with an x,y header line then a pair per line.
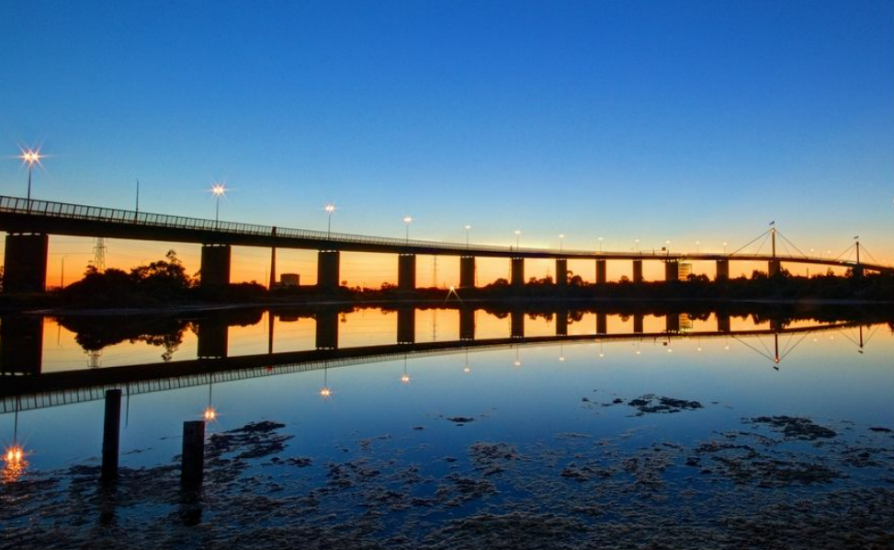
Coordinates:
x,y
30,223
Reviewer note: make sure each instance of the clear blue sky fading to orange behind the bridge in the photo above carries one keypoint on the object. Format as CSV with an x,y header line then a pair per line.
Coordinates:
x,y
677,121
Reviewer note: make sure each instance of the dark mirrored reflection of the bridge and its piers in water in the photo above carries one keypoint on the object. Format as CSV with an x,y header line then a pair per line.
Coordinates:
x,y
25,387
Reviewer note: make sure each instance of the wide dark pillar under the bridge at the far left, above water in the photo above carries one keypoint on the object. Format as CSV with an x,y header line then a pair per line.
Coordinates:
x,y
25,263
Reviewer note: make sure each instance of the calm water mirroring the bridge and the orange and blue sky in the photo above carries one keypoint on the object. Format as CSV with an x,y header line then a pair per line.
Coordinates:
x,y
452,437
